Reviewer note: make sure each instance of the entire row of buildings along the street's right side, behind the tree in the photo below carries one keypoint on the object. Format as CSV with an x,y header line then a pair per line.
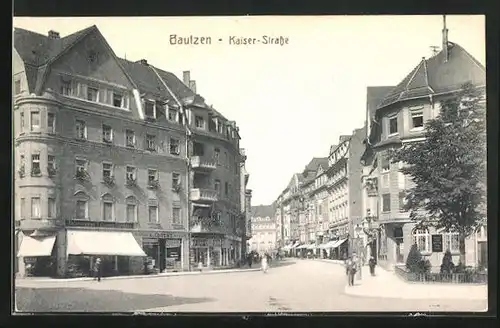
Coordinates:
x,y
353,200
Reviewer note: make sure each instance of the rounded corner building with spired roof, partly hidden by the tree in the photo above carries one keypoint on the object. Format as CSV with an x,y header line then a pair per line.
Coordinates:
x,y
400,118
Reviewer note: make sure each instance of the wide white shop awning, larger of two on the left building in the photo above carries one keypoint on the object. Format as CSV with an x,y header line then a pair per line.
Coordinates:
x,y
103,243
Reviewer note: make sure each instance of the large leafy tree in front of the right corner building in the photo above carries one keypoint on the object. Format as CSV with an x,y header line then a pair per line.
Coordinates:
x,y
448,168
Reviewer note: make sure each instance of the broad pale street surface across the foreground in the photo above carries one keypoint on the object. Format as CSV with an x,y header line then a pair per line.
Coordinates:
x,y
302,286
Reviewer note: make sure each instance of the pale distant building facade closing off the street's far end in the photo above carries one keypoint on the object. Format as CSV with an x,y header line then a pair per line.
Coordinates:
x,y
263,229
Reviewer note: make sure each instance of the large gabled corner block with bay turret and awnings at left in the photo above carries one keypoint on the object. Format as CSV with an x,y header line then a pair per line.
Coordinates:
x,y
121,160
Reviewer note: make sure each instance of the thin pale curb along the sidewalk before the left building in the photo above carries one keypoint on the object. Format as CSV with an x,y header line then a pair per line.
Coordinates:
x,y
160,275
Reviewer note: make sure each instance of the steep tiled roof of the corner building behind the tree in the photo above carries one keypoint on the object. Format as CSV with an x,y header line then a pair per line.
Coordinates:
x,y
436,75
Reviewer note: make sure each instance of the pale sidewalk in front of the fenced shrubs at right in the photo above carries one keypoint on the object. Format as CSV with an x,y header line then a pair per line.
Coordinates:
x,y
387,285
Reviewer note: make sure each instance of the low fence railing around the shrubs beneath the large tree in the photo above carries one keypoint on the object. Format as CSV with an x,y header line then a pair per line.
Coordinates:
x,y
468,277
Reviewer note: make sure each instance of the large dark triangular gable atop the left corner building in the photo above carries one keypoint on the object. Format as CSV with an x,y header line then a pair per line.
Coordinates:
x,y
90,58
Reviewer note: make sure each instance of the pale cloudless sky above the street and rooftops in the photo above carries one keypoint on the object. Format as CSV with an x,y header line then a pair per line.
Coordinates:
x,y
290,101
